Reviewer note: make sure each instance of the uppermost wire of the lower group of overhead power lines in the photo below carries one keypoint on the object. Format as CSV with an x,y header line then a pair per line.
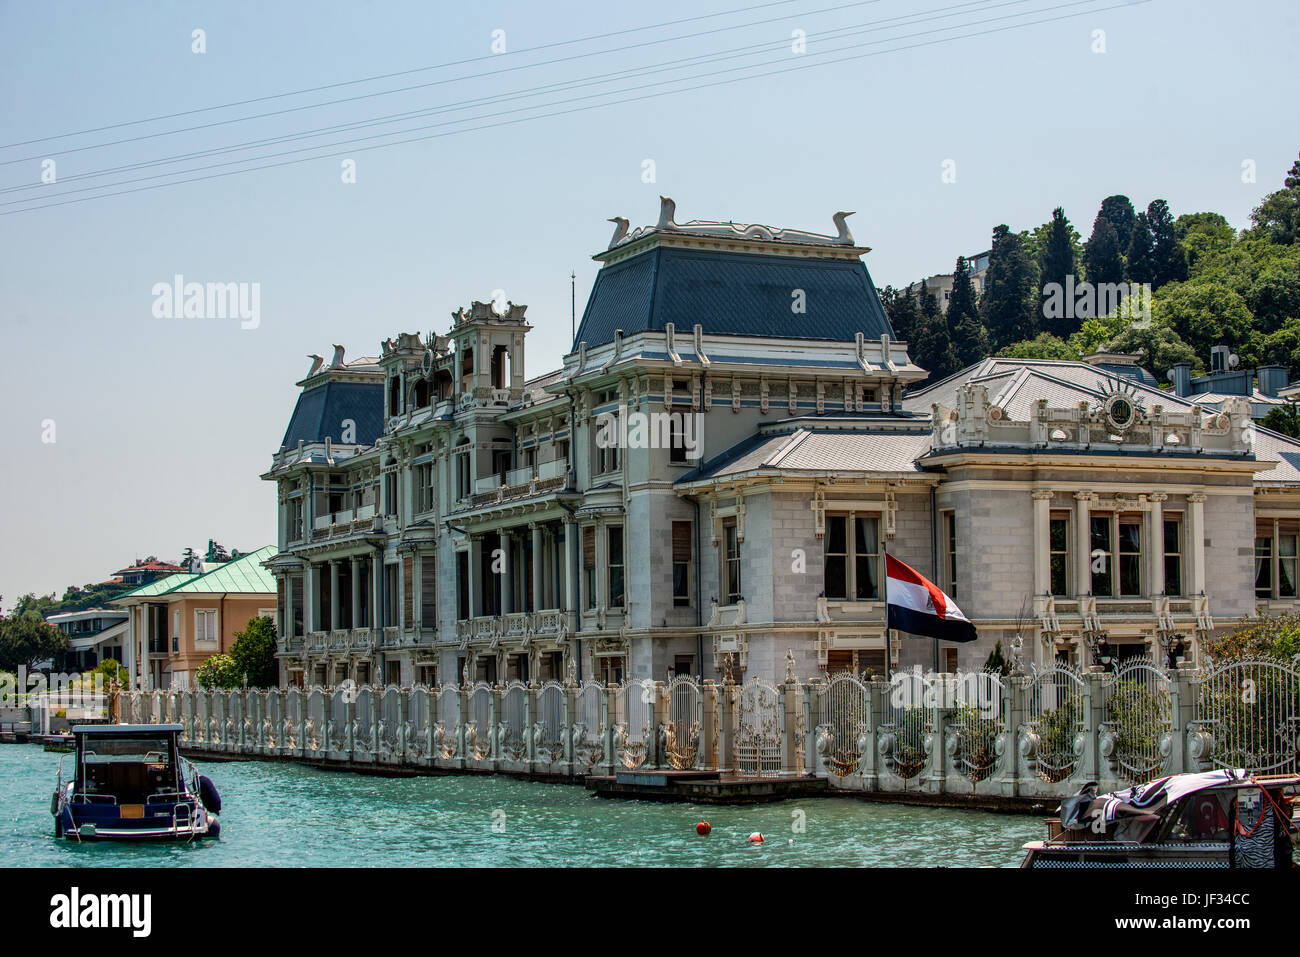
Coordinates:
x,y
837,33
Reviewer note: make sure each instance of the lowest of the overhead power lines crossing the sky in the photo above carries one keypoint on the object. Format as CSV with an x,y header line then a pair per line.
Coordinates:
x,y
579,110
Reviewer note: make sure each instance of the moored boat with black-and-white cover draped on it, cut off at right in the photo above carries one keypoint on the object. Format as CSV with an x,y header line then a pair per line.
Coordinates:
x,y
1224,819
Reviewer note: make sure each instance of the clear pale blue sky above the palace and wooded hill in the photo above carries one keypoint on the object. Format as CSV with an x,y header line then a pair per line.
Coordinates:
x,y
163,426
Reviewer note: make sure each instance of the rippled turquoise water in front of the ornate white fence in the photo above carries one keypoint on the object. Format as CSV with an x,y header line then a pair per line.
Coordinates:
x,y
280,815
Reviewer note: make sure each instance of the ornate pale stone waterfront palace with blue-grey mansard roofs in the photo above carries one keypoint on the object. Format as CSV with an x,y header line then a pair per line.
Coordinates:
x,y
714,477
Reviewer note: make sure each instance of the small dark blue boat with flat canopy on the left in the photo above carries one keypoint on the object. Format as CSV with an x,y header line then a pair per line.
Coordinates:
x,y
131,783
